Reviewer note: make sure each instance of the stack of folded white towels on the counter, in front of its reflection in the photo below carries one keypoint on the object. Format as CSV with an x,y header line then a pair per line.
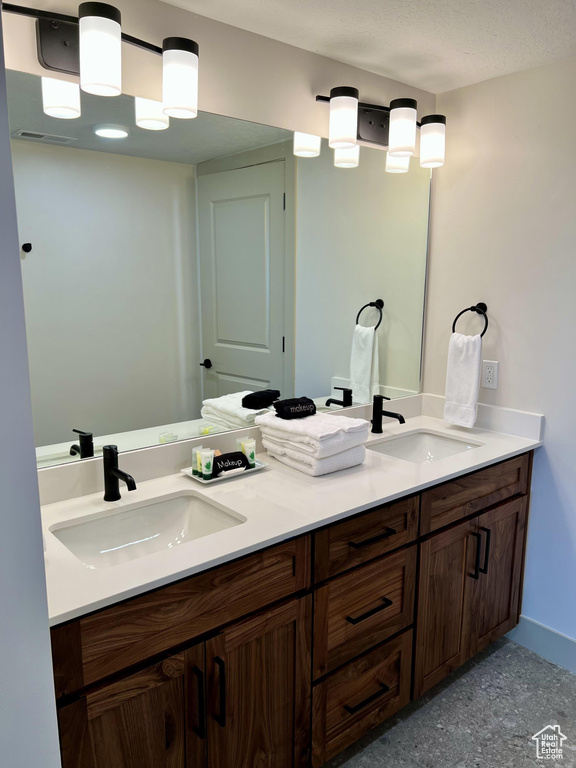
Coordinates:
x,y
317,444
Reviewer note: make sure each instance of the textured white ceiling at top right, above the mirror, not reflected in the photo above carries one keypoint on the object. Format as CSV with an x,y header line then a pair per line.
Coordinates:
x,y
436,45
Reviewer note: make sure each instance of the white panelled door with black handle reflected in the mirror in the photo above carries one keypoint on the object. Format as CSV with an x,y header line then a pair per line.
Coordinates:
x,y
241,238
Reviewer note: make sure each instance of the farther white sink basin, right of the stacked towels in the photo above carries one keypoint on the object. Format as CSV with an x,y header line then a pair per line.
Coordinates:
x,y
423,447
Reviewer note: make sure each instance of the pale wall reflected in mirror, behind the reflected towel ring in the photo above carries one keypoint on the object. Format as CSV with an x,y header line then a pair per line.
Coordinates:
x,y
361,235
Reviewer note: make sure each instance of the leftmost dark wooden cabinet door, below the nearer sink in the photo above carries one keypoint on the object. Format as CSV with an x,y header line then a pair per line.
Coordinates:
x,y
152,719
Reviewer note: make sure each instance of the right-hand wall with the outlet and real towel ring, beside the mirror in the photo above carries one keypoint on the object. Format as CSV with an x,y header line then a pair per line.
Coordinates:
x,y
504,232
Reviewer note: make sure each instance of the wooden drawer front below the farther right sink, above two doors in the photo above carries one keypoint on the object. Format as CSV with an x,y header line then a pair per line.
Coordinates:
x,y
459,498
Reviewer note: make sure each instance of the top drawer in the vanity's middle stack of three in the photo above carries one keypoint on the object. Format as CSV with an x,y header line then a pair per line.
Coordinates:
x,y
364,537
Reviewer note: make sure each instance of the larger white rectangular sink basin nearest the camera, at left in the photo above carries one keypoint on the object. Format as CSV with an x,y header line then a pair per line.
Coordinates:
x,y
110,538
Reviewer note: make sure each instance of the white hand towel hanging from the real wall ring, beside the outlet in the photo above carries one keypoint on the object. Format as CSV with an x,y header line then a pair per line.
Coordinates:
x,y
463,379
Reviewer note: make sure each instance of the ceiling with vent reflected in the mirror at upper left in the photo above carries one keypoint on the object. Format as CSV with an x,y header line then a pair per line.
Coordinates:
x,y
185,141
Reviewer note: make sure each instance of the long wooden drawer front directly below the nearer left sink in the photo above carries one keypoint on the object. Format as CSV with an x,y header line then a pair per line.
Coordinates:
x,y
94,647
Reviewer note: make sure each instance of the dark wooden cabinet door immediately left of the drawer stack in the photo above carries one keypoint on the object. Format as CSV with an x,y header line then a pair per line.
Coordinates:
x,y
259,682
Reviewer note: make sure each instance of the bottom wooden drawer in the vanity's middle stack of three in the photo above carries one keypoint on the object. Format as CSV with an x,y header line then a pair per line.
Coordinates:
x,y
359,696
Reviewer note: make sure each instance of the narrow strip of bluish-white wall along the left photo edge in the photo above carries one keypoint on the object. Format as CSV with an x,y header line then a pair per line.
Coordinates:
x,y
27,712
